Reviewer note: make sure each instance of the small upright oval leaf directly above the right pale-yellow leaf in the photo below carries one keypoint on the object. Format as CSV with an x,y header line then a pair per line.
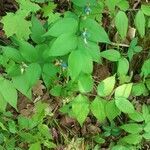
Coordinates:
x,y
123,66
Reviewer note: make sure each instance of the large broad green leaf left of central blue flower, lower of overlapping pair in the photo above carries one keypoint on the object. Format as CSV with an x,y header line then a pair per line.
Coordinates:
x,y
64,44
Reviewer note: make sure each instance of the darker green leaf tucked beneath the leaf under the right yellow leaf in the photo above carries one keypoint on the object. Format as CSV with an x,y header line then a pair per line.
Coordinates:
x,y
111,110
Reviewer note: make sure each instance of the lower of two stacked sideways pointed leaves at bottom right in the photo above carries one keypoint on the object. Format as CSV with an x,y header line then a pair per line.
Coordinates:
x,y
132,139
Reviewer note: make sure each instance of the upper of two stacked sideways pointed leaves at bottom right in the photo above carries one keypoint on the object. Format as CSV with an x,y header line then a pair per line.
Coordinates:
x,y
132,128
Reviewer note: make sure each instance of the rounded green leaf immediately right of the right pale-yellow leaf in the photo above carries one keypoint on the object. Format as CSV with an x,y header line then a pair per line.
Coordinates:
x,y
139,89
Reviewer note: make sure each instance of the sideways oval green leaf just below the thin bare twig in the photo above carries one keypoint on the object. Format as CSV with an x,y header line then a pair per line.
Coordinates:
x,y
111,54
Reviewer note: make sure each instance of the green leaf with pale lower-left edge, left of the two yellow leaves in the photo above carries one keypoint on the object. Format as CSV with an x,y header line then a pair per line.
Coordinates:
x,y
85,83
